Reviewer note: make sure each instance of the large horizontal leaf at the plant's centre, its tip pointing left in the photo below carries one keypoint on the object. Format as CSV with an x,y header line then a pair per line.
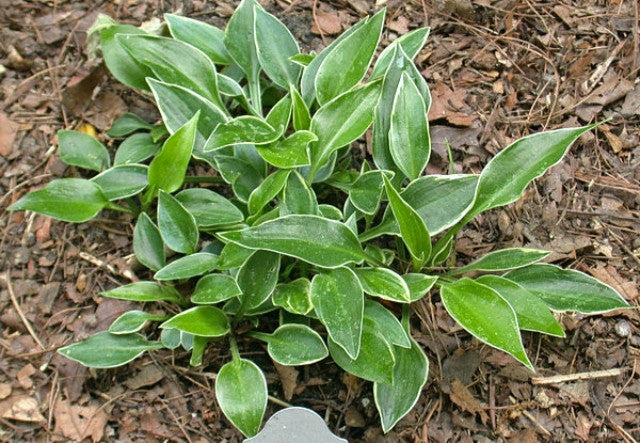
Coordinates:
x,y
319,241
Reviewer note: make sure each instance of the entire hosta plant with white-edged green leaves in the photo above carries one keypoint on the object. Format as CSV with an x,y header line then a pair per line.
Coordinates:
x,y
289,240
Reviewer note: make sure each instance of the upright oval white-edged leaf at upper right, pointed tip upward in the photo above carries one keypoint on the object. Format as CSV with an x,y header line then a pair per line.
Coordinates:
x,y
409,141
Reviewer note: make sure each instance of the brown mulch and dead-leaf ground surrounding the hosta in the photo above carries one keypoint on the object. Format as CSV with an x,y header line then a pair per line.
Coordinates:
x,y
498,70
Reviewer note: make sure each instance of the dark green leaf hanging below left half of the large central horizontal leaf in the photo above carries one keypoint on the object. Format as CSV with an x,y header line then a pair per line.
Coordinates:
x,y
257,278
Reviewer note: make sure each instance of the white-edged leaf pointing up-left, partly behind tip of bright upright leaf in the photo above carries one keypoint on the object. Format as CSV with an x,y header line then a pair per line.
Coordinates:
x,y
178,105
